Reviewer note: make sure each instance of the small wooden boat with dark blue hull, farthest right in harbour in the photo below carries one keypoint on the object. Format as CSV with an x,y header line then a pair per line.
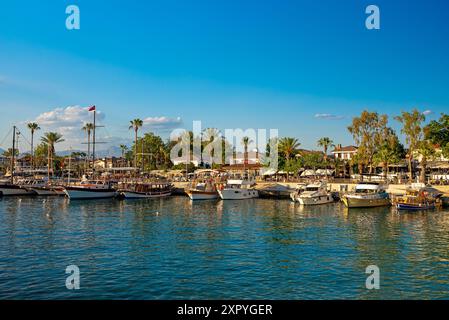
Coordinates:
x,y
425,198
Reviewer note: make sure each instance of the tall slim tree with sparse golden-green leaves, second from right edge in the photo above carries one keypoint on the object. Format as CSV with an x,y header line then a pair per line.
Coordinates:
x,y
412,129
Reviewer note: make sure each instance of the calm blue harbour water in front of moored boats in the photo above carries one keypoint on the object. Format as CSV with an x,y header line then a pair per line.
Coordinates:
x,y
252,249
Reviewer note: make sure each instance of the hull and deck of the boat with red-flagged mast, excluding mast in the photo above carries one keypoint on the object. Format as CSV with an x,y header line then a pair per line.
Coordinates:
x,y
90,190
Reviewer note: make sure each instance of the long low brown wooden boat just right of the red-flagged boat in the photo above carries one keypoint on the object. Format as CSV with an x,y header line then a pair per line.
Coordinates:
x,y
143,190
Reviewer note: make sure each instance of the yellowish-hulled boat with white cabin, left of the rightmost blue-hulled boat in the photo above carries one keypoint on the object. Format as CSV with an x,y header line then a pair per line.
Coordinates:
x,y
366,195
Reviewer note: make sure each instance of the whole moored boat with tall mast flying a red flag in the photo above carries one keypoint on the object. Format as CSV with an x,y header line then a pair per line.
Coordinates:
x,y
91,189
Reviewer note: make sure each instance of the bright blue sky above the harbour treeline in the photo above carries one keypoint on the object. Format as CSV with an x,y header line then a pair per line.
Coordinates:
x,y
230,64
